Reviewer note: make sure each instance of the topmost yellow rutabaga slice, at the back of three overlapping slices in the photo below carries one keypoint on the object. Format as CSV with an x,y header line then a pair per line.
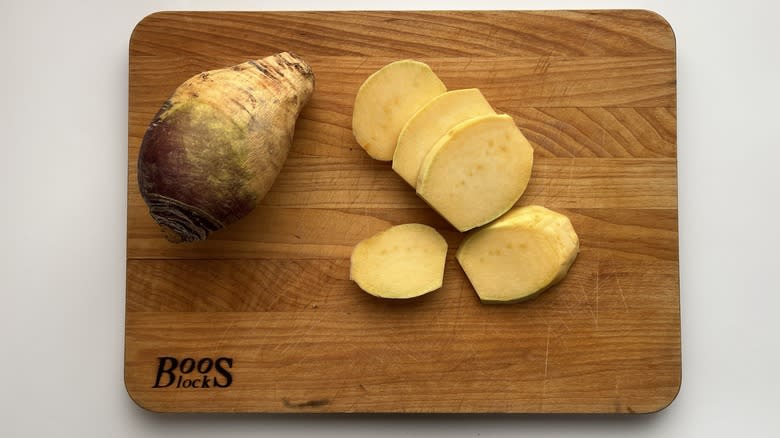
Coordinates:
x,y
387,100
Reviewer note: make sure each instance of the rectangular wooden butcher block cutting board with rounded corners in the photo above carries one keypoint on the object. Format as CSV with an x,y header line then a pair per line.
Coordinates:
x,y
263,313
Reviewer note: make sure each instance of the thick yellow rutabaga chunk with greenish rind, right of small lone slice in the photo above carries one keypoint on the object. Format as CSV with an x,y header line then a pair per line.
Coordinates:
x,y
520,255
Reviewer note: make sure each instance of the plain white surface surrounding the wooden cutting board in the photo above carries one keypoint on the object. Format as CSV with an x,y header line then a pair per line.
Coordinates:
x,y
63,161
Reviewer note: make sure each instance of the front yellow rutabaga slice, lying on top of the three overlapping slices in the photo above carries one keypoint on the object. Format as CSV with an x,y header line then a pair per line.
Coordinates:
x,y
477,171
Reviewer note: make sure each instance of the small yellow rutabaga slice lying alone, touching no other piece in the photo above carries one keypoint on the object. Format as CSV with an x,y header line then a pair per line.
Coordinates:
x,y
404,261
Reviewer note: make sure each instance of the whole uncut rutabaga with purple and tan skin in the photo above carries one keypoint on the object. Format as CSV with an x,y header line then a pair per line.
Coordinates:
x,y
216,146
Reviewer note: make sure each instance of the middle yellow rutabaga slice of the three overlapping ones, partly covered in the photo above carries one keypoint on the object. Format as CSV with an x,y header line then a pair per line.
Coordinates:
x,y
430,123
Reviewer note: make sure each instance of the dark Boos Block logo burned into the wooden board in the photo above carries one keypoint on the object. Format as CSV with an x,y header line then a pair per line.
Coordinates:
x,y
191,373
